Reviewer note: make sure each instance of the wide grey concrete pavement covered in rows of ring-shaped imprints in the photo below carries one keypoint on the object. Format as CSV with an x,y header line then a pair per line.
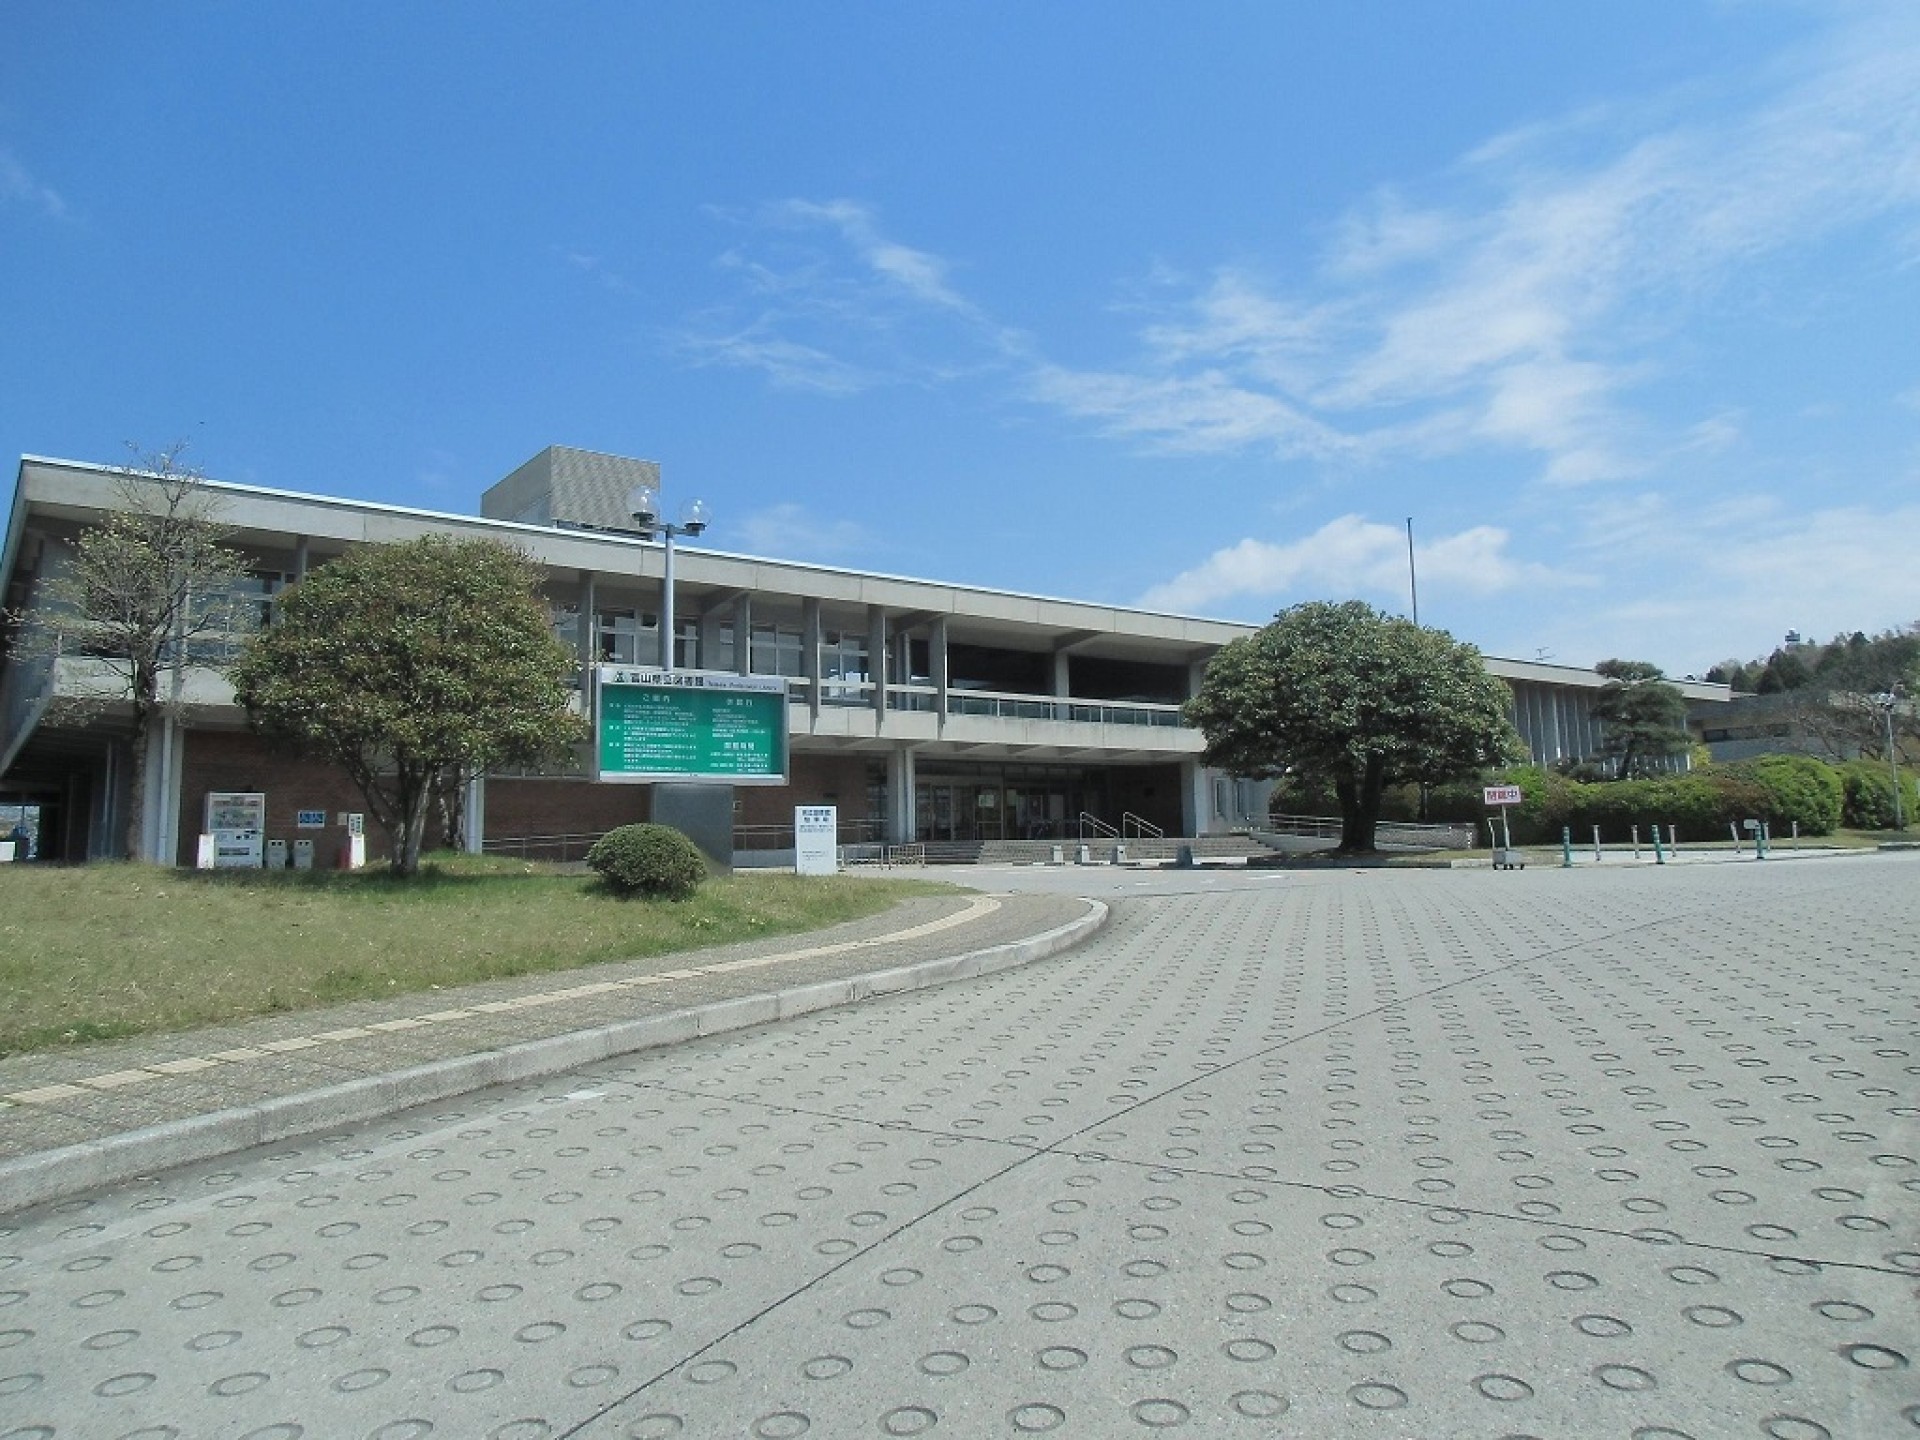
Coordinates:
x,y
1558,1153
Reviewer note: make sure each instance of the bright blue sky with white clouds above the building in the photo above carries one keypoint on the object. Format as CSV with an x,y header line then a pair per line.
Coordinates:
x,y
1186,306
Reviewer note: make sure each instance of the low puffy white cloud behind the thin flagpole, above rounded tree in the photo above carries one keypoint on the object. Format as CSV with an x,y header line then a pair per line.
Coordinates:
x,y
1351,556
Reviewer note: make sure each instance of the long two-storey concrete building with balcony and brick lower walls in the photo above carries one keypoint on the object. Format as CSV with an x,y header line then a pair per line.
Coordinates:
x,y
924,711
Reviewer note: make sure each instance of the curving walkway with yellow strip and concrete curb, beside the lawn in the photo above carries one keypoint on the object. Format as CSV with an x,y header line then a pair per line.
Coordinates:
x,y
74,1120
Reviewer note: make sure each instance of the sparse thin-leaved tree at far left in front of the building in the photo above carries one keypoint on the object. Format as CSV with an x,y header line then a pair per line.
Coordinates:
x,y
137,602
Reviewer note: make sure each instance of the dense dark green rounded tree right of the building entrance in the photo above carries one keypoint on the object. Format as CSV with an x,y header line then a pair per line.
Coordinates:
x,y
1356,698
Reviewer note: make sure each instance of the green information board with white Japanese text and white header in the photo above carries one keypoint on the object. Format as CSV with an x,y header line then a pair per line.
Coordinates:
x,y
690,725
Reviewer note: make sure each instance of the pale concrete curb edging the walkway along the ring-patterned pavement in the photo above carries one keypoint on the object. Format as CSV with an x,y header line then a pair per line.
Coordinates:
x,y
72,1170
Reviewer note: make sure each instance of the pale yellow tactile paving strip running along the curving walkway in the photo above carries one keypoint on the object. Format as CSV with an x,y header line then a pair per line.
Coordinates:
x,y
978,907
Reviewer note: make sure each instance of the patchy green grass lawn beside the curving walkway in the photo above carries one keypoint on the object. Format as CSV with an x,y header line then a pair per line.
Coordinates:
x,y
108,951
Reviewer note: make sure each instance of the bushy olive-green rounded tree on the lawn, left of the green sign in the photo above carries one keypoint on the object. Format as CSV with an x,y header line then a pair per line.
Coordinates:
x,y
412,667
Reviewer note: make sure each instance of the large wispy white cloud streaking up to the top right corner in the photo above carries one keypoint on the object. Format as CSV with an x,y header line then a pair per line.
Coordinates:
x,y
1525,316
